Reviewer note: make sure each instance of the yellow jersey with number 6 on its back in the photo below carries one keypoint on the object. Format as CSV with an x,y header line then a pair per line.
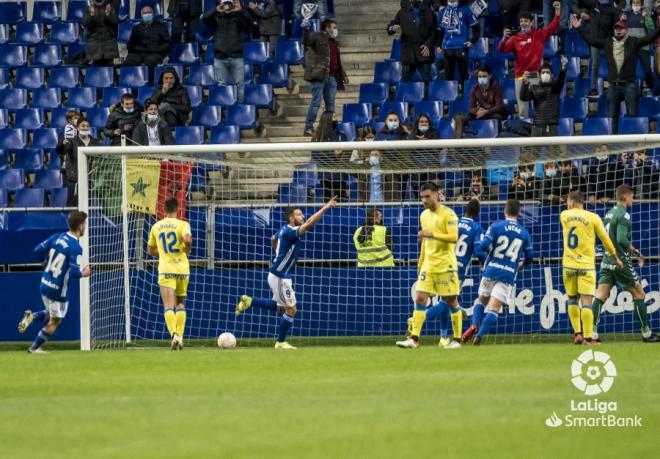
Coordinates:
x,y
580,229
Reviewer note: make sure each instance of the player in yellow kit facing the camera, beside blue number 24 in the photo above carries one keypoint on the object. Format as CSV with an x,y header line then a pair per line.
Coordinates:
x,y
437,269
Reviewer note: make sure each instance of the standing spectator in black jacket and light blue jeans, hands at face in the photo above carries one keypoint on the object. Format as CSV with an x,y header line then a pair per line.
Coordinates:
x,y
229,21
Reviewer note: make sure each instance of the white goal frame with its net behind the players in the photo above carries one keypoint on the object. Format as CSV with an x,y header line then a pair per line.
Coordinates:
x,y
235,196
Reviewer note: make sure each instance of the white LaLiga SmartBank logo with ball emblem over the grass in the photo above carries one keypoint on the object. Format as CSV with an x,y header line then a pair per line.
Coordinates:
x,y
593,373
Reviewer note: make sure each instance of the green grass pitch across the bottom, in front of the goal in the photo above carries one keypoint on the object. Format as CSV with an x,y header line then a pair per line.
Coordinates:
x,y
360,402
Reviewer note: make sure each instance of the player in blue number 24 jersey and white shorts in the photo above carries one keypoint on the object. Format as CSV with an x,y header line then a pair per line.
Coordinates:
x,y
508,239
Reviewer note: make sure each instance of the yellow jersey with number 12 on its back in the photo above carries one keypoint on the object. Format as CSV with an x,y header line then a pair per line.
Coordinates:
x,y
168,236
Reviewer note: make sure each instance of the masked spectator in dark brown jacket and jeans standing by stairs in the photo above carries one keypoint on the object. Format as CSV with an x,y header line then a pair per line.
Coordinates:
x,y
323,70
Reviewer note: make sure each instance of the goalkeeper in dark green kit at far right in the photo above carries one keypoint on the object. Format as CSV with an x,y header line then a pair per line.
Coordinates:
x,y
619,227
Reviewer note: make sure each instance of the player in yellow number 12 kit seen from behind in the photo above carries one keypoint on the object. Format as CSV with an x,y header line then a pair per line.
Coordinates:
x,y
171,240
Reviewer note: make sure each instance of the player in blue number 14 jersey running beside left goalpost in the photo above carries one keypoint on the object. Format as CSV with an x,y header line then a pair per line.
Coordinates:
x,y
62,253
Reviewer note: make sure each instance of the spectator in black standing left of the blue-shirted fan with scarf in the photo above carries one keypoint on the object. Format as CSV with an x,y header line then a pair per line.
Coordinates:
x,y
418,26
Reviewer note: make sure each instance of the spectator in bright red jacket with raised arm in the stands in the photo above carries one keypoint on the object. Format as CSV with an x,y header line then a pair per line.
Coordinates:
x,y
527,48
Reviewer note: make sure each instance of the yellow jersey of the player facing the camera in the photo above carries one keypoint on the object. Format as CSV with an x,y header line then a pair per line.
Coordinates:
x,y
437,256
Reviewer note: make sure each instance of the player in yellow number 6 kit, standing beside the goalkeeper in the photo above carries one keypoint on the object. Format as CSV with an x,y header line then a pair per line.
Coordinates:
x,y
580,228
